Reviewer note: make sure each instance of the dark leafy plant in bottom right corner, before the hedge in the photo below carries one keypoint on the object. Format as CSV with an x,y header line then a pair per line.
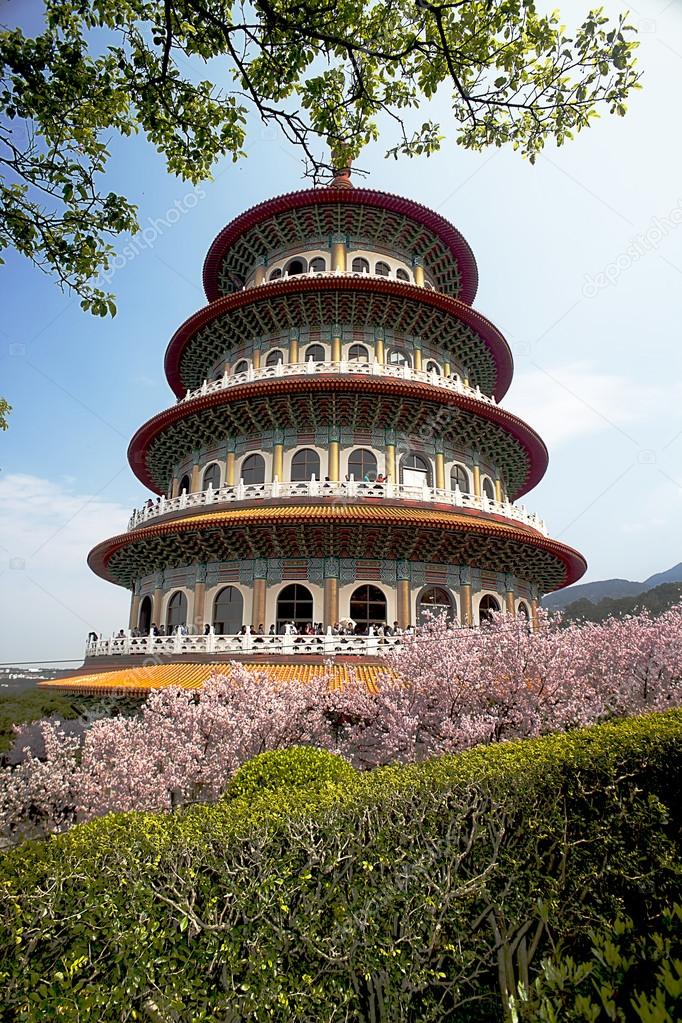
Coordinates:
x,y
629,976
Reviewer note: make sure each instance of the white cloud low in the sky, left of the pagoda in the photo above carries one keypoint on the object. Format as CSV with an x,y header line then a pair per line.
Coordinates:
x,y
50,599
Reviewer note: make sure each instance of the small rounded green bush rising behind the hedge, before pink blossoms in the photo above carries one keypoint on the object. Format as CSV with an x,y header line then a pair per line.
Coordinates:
x,y
297,768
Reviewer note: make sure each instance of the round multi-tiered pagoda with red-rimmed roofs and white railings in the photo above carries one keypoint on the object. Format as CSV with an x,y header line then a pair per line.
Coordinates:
x,y
337,452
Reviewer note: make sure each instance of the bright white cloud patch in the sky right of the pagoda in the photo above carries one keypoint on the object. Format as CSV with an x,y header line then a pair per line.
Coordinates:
x,y
575,401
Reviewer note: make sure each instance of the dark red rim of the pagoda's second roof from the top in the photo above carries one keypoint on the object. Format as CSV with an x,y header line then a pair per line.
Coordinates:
x,y
495,342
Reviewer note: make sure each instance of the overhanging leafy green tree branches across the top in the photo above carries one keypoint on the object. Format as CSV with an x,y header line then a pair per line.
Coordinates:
x,y
323,74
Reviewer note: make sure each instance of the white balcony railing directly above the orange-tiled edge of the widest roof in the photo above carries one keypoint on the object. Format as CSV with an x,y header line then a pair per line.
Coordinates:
x,y
341,493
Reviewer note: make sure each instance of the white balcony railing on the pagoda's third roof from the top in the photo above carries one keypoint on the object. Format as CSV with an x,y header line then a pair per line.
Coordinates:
x,y
345,369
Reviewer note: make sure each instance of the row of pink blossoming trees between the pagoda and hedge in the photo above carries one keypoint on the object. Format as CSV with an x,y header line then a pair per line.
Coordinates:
x,y
445,690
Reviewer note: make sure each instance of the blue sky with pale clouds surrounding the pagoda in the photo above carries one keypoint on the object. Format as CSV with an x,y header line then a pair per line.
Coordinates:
x,y
580,262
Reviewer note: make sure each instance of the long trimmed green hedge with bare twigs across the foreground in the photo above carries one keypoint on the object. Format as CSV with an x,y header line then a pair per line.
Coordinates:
x,y
418,894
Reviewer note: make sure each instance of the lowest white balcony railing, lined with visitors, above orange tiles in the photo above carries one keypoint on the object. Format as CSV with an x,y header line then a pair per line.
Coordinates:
x,y
325,646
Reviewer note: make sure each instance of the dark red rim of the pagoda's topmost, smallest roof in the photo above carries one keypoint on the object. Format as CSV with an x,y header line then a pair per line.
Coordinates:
x,y
359,197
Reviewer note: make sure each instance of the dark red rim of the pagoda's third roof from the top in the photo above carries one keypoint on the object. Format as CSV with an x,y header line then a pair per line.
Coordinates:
x,y
526,436
